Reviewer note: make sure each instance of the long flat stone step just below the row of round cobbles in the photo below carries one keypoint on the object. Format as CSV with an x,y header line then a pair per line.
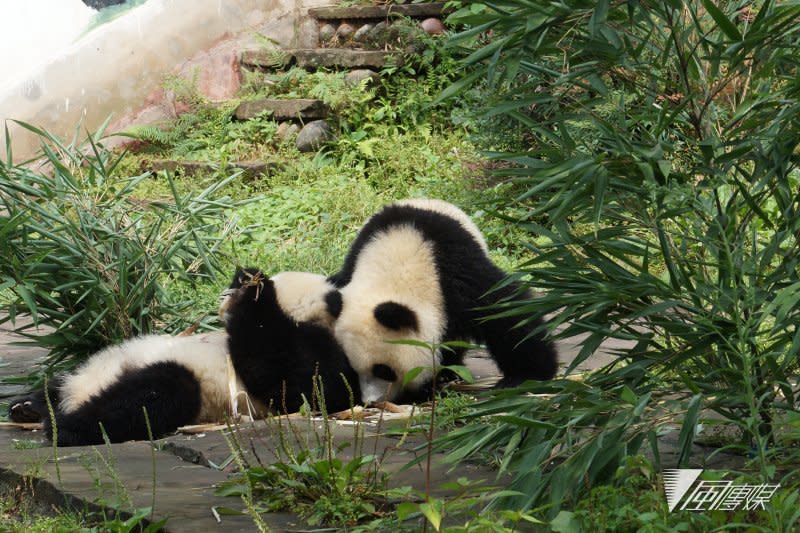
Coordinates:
x,y
321,57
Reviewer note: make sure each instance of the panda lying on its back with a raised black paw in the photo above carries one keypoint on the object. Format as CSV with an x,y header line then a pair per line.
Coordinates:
x,y
186,379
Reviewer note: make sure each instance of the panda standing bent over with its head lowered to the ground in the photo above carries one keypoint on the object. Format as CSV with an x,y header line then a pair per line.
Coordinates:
x,y
419,270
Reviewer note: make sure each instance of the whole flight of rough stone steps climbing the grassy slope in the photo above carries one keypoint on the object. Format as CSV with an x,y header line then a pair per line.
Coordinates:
x,y
361,40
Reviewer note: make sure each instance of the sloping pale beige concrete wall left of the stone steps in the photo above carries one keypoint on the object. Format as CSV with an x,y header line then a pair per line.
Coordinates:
x,y
117,67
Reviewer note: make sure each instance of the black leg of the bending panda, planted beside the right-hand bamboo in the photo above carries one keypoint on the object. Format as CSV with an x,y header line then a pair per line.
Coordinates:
x,y
522,352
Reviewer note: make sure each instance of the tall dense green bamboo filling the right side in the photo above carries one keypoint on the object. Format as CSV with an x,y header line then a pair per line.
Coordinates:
x,y
655,172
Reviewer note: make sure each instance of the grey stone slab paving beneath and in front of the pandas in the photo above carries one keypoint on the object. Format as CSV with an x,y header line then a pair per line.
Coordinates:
x,y
182,465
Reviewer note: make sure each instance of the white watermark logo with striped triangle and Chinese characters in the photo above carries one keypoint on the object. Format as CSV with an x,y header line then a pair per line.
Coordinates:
x,y
713,495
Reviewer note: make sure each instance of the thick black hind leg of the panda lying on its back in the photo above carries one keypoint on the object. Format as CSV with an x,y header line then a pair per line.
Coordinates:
x,y
167,390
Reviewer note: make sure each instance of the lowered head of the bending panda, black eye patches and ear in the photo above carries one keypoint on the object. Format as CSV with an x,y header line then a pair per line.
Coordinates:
x,y
373,338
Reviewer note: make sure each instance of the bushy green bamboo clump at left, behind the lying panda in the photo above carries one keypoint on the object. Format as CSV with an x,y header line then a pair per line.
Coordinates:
x,y
92,263
